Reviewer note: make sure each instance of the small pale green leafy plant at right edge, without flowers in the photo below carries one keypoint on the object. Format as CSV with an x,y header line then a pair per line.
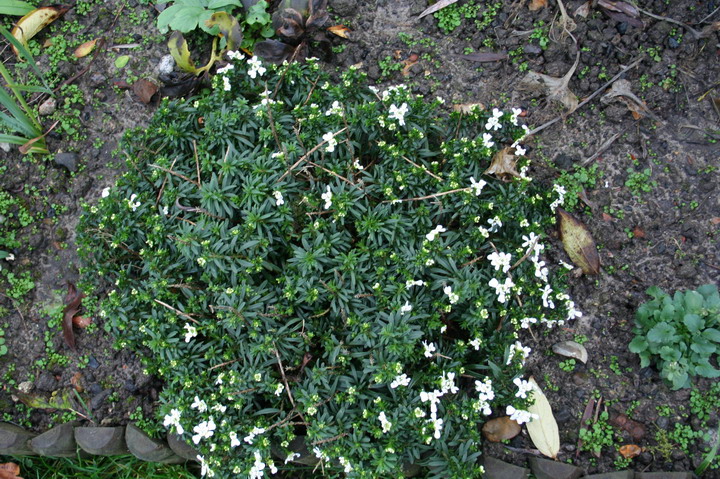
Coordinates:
x,y
679,334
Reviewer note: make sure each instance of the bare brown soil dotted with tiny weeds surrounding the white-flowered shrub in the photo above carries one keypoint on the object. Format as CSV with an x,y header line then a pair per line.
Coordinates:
x,y
665,236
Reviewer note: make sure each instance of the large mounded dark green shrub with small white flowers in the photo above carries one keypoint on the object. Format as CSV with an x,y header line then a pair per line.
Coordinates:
x,y
322,273
